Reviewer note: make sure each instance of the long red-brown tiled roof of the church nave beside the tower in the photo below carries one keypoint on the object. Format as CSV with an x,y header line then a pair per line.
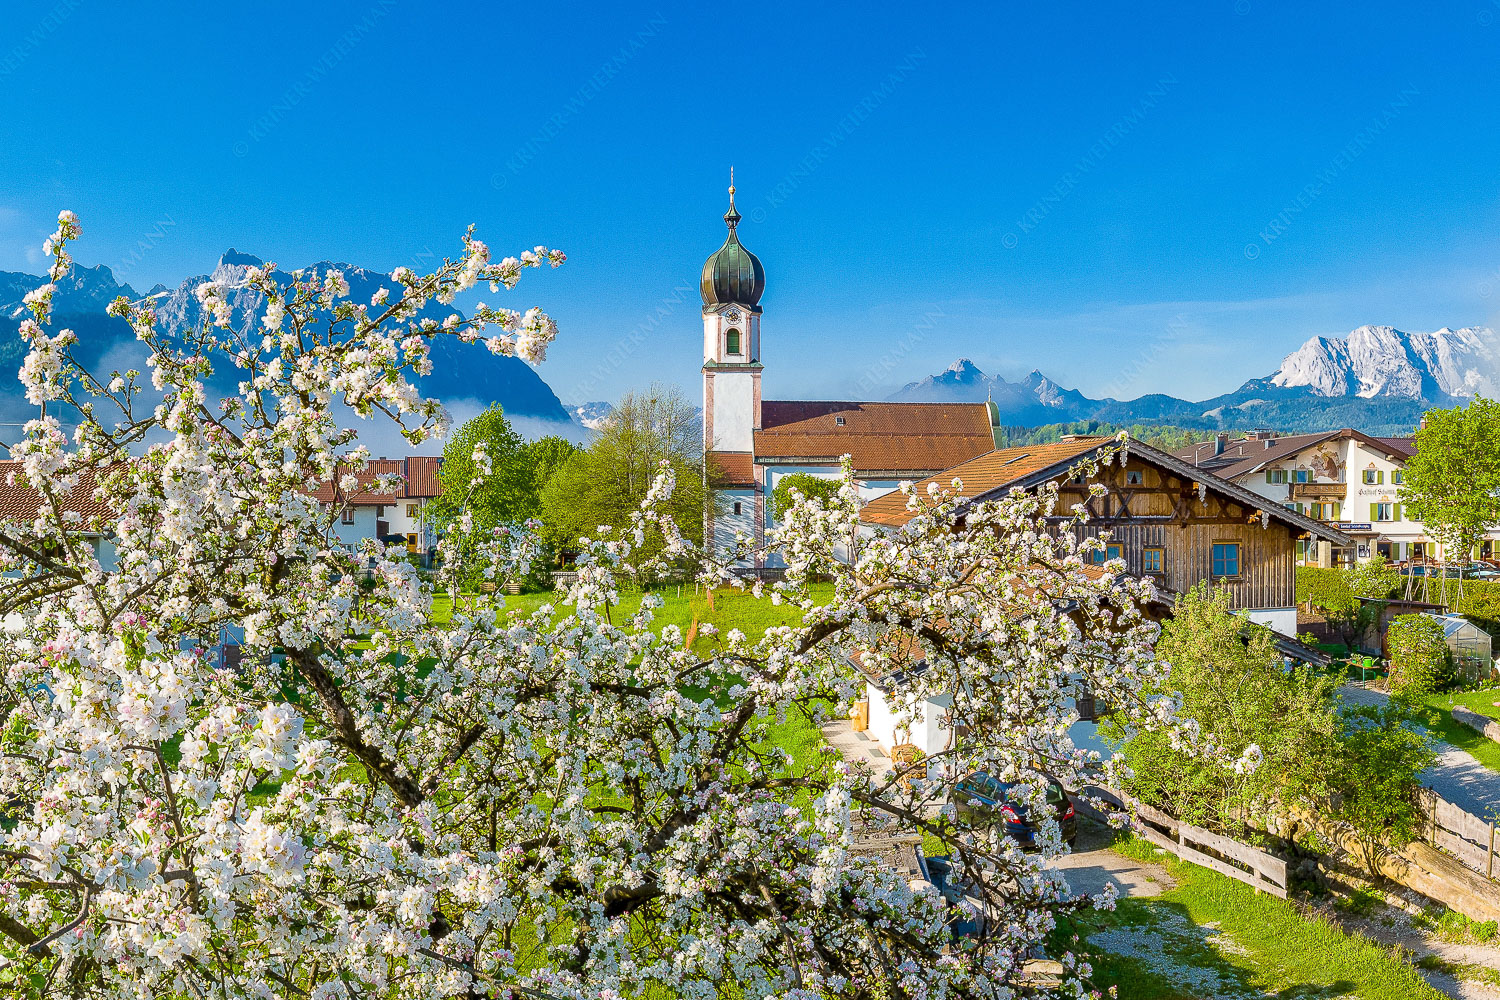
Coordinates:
x,y
892,439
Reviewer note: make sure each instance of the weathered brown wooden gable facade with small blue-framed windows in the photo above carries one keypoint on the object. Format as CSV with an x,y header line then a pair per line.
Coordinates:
x,y
1148,507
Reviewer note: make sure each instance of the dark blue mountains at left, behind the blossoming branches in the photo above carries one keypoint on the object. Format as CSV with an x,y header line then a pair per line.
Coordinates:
x,y
460,373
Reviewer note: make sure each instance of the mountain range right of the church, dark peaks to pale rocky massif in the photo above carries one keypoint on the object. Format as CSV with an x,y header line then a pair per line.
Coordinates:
x,y
1378,379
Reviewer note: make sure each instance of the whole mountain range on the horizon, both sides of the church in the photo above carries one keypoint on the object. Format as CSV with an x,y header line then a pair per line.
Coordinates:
x,y
1378,379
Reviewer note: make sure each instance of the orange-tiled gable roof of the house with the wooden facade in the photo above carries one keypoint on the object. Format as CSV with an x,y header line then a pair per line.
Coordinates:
x,y
997,475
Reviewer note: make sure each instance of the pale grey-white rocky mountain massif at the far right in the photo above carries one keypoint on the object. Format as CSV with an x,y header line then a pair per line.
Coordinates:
x,y
1391,364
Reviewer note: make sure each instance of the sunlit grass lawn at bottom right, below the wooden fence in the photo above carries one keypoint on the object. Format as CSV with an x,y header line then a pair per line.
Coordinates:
x,y
1217,938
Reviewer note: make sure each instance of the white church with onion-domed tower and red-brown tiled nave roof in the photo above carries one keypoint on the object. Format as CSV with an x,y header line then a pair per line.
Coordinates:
x,y
751,443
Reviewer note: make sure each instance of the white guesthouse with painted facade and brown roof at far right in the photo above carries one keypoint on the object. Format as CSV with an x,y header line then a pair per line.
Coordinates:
x,y
1345,478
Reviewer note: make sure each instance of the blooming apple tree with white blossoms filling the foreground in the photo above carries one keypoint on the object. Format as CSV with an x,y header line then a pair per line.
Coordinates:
x,y
374,803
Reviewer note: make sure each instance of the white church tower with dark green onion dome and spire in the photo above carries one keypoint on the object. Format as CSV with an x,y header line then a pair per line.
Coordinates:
x,y
733,286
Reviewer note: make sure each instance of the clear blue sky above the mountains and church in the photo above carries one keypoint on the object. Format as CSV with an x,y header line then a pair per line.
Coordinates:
x,y
1147,199
